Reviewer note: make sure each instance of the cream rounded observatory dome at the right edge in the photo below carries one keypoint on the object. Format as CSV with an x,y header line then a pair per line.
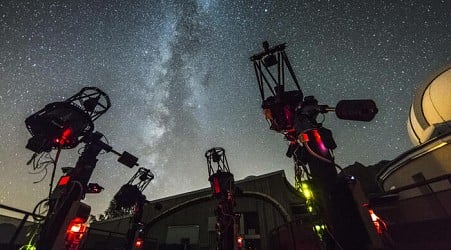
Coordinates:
x,y
430,113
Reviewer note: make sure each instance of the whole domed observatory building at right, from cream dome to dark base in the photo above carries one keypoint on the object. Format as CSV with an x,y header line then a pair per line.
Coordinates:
x,y
417,183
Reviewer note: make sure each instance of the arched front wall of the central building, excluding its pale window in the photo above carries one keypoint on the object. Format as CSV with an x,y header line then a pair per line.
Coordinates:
x,y
269,197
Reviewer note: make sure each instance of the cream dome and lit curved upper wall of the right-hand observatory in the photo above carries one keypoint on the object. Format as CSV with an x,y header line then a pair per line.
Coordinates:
x,y
429,128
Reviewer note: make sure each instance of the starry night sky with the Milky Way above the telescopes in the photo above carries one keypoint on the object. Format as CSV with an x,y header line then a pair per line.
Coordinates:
x,y
180,81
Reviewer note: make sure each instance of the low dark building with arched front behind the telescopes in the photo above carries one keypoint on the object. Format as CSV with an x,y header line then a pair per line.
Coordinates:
x,y
265,202
